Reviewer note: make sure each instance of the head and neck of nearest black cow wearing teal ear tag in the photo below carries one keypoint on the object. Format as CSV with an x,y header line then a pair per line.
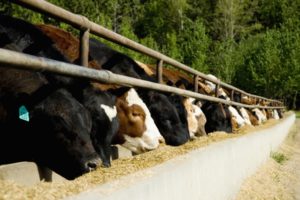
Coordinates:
x,y
53,132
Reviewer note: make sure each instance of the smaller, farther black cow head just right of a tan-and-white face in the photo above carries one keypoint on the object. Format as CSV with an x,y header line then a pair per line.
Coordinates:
x,y
218,117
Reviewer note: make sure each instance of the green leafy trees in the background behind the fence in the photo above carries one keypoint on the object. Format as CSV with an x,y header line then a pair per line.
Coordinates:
x,y
252,44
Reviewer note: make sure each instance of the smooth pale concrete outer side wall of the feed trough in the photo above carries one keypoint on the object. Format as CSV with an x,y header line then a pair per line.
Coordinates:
x,y
213,173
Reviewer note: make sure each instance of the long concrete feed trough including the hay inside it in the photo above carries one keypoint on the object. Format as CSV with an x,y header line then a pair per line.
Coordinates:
x,y
210,167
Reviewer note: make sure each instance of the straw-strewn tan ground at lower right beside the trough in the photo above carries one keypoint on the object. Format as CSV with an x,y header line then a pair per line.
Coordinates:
x,y
279,177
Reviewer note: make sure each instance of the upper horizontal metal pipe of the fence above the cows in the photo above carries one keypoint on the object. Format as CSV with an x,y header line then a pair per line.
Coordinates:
x,y
82,22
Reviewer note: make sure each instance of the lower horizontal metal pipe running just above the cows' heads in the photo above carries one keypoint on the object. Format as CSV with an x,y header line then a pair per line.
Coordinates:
x,y
10,58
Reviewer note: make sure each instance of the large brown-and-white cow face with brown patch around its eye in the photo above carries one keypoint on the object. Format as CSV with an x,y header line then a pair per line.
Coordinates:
x,y
137,131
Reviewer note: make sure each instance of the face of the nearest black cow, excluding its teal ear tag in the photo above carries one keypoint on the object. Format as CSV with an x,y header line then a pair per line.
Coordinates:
x,y
61,128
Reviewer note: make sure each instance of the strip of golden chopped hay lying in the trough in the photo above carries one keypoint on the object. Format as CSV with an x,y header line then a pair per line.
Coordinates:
x,y
120,167
